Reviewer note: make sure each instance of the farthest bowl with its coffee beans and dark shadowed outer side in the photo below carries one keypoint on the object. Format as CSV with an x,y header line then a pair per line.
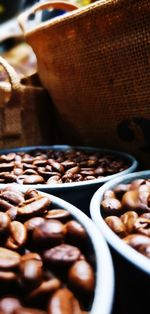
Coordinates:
x,y
64,170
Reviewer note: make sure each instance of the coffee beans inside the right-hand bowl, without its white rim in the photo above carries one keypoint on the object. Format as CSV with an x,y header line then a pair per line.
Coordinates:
x,y
126,210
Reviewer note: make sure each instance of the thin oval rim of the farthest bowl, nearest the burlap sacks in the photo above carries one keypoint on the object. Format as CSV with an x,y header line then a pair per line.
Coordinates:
x,y
88,183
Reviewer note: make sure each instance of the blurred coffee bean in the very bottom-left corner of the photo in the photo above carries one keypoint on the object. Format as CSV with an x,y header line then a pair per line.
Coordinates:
x,y
9,305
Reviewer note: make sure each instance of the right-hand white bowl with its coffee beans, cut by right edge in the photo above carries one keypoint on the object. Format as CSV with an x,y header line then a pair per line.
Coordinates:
x,y
121,209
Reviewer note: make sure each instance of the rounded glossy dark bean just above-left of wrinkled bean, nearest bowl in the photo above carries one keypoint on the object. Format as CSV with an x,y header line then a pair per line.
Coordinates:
x,y
50,232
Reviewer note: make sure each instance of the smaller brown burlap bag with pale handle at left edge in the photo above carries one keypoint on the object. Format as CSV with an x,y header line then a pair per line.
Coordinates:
x,y
25,112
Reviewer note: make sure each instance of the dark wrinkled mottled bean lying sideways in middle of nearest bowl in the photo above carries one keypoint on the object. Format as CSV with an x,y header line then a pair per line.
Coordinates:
x,y
63,254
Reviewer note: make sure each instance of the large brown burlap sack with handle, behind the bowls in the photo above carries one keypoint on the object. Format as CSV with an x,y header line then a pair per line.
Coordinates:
x,y
95,64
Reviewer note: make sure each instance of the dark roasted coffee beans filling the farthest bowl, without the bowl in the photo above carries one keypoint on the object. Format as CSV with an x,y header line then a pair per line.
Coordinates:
x,y
54,166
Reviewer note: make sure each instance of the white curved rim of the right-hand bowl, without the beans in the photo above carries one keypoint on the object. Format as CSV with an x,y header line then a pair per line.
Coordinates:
x,y
127,252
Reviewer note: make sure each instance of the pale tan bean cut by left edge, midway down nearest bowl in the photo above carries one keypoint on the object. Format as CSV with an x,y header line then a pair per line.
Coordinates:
x,y
8,259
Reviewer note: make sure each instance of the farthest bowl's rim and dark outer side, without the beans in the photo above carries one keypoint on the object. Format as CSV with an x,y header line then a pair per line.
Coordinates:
x,y
77,193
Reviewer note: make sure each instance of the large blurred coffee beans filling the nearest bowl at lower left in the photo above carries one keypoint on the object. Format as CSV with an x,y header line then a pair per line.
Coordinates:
x,y
47,261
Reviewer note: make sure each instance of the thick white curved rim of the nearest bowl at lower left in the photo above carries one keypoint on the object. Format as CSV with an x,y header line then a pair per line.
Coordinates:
x,y
105,279
